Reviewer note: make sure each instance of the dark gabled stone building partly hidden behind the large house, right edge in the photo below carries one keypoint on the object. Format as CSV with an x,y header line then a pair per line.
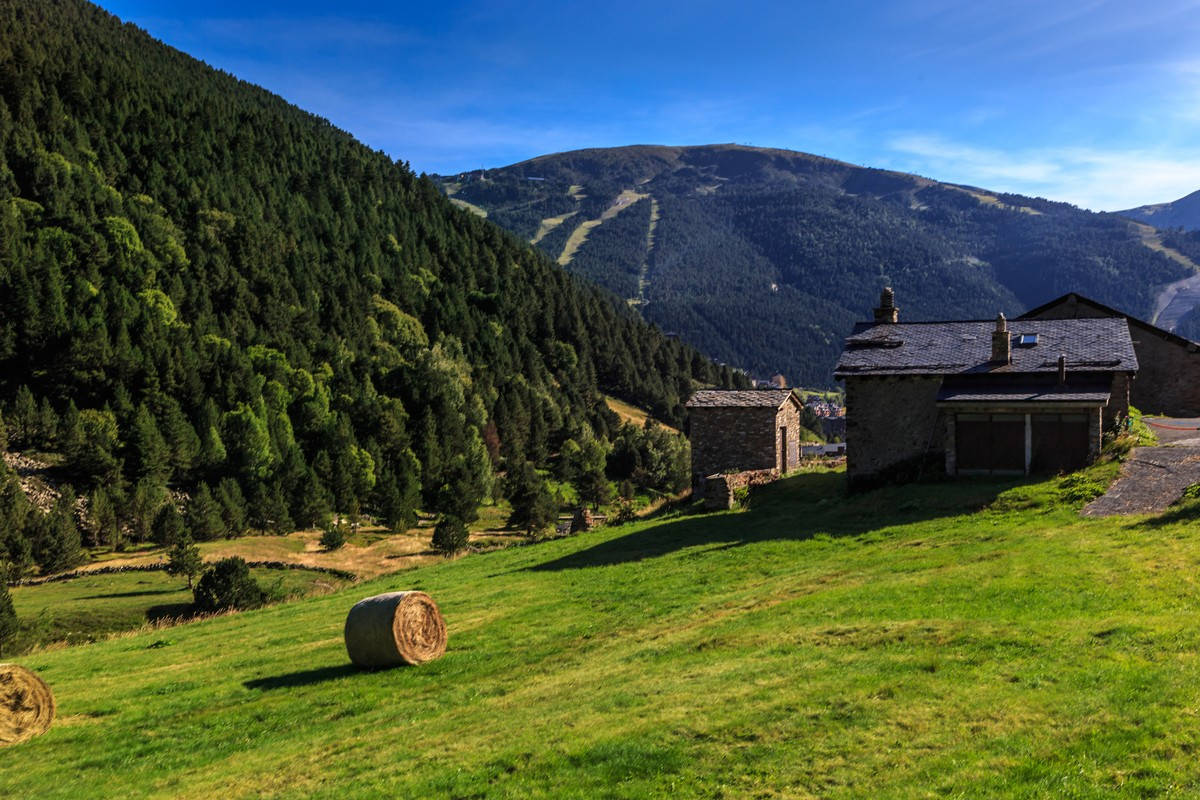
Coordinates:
x,y
1168,365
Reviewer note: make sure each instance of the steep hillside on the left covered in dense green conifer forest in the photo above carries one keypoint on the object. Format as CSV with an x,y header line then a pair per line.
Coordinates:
x,y
206,288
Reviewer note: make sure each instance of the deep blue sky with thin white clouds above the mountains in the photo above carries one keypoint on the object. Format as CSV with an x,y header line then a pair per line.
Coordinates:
x,y
1097,104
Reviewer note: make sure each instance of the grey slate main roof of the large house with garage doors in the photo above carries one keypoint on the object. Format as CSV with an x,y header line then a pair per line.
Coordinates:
x,y
1100,345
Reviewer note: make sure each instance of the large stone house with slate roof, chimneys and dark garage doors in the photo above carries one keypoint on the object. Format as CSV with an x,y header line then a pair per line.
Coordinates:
x,y
981,396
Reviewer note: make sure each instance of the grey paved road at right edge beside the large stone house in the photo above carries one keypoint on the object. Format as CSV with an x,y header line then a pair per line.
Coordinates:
x,y
1155,478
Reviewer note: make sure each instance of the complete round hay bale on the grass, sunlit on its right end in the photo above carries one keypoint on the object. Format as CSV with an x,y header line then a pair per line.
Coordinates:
x,y
400,628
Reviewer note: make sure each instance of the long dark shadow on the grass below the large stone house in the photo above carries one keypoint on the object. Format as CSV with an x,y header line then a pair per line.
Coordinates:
x,y
796,508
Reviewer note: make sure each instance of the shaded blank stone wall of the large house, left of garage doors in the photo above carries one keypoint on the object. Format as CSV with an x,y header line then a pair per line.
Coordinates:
x,y
890,420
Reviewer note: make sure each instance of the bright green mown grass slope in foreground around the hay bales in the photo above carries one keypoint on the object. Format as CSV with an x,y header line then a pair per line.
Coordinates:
x,y
970,640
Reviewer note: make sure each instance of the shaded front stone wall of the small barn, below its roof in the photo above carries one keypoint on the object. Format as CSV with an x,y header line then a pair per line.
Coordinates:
x,y
733,440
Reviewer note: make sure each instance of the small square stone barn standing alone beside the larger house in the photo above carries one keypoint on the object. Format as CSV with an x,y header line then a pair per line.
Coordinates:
x,y
740,431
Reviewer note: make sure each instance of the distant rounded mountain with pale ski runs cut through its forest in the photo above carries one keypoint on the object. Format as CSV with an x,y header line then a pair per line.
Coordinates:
x,y
765,258
